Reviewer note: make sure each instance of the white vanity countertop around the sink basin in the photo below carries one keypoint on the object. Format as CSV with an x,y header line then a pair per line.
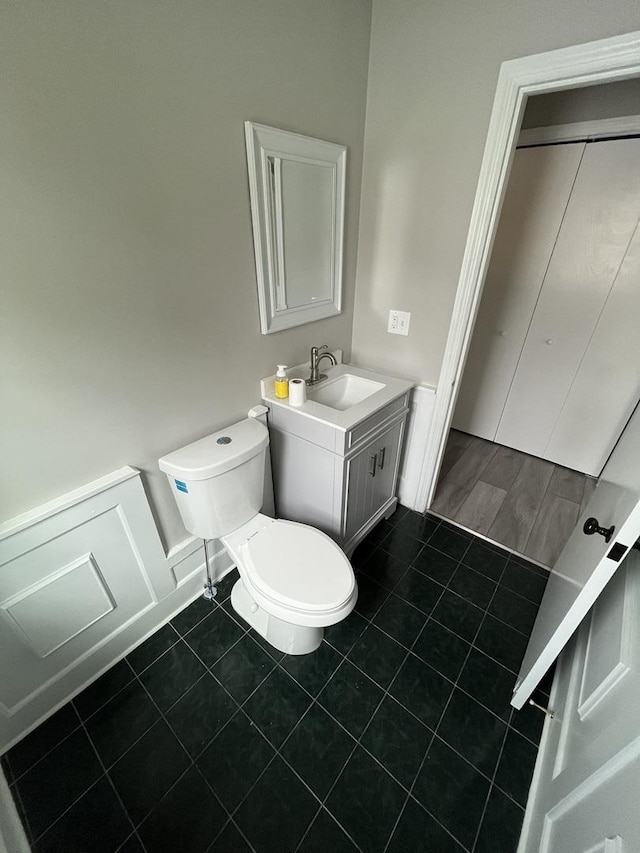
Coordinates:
x,y
341,419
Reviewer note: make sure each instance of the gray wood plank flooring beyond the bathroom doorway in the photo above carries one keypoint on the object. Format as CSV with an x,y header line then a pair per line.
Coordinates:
x,y
524,503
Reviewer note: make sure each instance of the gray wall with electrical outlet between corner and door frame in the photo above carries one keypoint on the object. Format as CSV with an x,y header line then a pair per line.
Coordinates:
x,y
433,73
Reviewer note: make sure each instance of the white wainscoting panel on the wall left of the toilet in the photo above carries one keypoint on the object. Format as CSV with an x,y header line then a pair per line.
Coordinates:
x,y
83,580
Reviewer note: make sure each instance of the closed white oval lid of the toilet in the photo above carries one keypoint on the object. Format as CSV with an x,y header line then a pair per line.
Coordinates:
x,y
299,566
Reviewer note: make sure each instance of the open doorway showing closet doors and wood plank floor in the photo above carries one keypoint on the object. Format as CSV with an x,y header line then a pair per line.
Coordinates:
x,y
564,266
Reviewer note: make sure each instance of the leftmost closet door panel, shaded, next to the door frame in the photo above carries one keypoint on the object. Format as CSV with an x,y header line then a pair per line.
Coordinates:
x,y
537,195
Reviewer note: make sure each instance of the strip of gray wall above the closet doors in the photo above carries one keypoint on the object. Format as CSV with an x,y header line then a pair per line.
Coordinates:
x,y
592,103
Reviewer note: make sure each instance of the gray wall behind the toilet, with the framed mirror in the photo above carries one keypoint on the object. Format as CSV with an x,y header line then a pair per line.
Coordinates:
x,y
129,295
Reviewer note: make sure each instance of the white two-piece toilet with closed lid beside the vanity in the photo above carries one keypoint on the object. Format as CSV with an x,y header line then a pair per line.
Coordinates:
x,y
294,580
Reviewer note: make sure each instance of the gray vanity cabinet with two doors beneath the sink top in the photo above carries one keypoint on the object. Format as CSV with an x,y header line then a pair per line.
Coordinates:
x,y
340,480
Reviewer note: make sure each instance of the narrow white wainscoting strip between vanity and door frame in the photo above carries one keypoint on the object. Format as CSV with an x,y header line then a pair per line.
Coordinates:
x,y
423,398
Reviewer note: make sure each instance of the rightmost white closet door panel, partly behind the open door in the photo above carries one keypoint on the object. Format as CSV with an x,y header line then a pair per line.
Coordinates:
x,y
607,385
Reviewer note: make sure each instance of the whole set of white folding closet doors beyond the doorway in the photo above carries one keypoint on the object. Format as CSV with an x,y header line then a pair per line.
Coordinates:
x,y
555,344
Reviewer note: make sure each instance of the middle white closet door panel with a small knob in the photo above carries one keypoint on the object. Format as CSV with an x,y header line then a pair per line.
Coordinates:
x,y
598,225
